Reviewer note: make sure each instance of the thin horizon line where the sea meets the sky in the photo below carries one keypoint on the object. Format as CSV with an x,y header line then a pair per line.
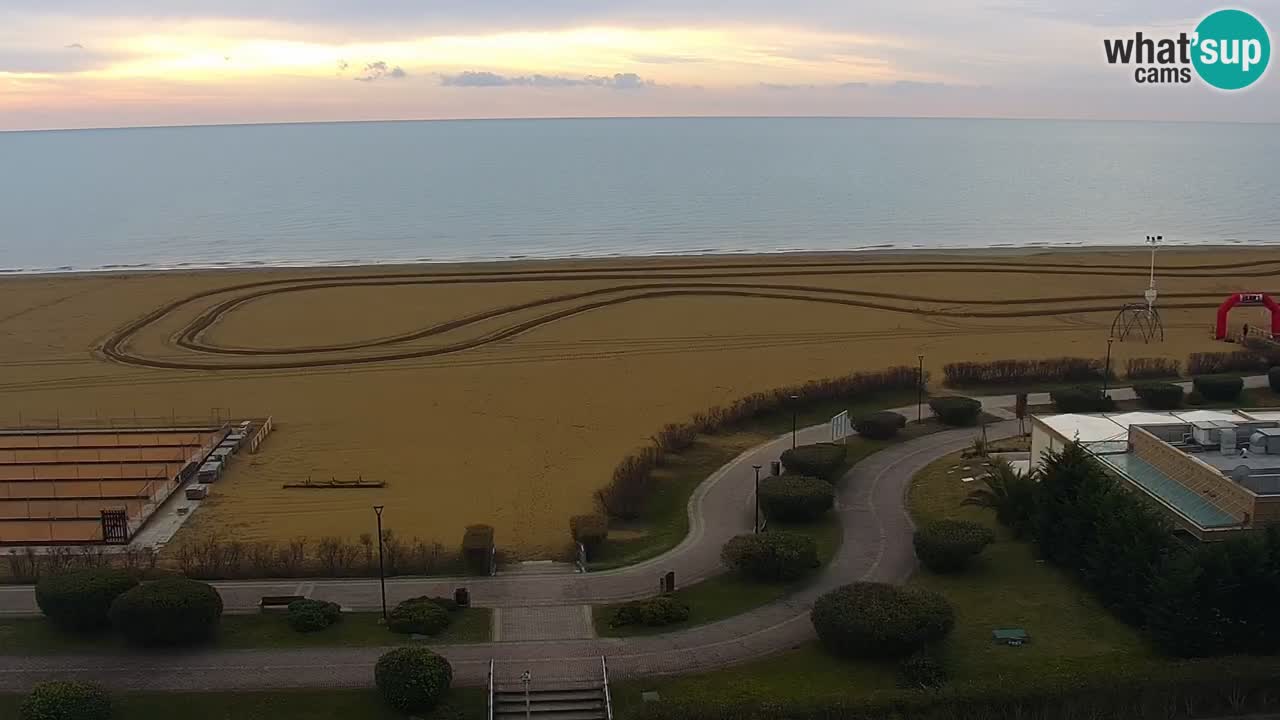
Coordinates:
x,y
554,119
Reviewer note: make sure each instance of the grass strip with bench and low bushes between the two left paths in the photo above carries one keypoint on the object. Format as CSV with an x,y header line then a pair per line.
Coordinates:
x,y
237,632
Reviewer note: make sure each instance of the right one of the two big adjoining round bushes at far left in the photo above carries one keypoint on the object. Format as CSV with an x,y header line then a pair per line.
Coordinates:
x,y
171,612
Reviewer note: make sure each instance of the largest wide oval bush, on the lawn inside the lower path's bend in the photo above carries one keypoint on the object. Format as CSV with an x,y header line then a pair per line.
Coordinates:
x,y
881,621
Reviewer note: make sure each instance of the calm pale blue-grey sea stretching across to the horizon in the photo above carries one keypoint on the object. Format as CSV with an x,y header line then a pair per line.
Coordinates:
x,y
340,194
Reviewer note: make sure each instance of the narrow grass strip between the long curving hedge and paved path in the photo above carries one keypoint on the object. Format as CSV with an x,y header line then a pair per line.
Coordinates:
x,y
665,521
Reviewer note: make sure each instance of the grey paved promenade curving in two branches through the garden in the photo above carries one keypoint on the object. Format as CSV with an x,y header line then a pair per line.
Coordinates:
x,y
876,546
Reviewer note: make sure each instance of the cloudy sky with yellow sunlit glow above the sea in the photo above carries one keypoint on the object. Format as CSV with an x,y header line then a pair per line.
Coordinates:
x,y
124,63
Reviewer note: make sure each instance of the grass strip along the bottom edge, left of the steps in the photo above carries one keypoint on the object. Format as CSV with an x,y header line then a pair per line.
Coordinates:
x,y
463,704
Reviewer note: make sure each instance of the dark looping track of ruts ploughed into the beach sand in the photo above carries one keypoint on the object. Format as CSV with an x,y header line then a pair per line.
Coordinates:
x,y
190,350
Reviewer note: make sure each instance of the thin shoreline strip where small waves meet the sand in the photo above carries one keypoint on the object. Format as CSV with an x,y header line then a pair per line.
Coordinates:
x,y
874,253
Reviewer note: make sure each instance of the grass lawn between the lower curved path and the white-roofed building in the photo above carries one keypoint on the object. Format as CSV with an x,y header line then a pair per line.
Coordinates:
x,y
1008,587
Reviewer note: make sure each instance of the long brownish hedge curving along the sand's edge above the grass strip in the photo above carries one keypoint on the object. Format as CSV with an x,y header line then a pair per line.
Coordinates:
x,y
632,482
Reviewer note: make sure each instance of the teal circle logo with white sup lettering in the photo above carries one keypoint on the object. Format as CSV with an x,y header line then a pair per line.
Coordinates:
x,y
1232,49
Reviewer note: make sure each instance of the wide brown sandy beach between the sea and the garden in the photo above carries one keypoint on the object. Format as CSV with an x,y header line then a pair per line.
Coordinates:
x,y
505,394
